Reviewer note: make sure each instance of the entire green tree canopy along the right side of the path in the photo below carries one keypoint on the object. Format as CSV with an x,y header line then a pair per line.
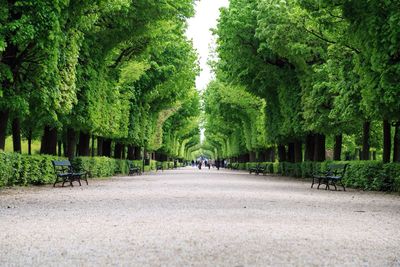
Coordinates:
x,y
324,71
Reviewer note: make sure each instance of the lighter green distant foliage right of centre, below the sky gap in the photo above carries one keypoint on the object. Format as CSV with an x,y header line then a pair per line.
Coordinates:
x,y
234,119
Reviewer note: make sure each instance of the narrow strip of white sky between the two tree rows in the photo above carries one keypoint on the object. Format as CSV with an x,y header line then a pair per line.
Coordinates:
x,y
207,13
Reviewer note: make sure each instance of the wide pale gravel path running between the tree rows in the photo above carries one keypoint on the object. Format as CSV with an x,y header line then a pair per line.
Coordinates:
x,y
198,218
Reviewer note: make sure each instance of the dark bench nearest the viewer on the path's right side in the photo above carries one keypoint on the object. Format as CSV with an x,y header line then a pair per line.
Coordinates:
x,y
332,176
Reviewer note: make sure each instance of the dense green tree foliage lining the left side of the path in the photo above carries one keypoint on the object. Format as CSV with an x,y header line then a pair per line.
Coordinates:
x,y
115,69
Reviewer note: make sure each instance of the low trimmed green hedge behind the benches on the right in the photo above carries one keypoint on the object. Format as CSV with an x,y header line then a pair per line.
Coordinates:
x,y
365,175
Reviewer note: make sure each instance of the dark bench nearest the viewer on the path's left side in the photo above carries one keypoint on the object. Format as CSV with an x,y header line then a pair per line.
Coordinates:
x,y
64,171
